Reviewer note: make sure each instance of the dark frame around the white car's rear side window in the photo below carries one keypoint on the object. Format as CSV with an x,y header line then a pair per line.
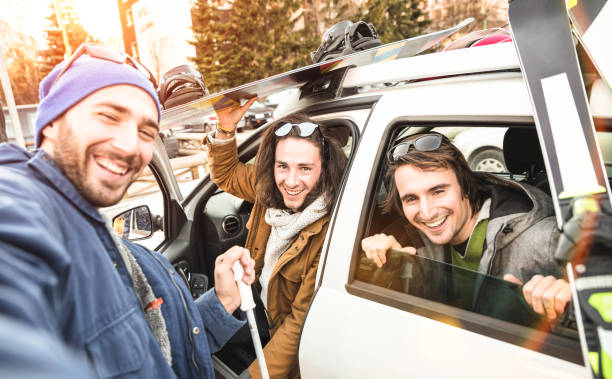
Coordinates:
x,y
523,336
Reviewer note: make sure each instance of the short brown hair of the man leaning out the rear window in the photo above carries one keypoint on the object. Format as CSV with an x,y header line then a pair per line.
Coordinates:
x,y
447,156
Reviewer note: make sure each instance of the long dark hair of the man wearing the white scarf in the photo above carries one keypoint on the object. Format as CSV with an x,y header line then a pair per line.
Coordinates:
x,y
333,162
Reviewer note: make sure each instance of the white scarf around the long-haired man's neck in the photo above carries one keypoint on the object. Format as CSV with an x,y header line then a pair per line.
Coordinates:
x,y
285,226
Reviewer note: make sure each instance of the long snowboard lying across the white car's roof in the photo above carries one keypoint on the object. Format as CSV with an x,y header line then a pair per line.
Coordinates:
x,y
298,77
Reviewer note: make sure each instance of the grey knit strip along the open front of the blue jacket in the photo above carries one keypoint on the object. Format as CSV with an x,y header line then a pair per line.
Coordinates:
x,y
145,295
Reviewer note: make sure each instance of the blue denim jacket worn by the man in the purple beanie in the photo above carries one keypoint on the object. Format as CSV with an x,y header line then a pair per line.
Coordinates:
x,y
61,273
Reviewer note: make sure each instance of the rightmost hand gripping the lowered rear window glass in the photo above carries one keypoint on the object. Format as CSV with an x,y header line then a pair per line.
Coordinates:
x,y
547,295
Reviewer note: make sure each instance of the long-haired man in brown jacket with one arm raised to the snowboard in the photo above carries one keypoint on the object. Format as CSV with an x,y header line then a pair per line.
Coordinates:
x,y
293,186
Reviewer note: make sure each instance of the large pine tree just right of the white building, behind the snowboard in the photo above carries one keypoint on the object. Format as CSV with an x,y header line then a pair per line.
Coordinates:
x,y
255,40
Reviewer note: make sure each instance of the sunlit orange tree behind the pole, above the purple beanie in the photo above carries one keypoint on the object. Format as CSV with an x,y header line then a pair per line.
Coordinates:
x,y
55,51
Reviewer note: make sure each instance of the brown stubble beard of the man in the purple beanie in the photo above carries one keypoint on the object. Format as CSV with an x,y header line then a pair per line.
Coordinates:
x,y
75,168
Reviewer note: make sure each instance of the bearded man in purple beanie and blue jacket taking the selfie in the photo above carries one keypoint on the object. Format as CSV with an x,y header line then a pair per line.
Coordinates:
x,y
63,272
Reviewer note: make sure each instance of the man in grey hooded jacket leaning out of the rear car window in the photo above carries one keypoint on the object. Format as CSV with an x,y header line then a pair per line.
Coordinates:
x,y
473,220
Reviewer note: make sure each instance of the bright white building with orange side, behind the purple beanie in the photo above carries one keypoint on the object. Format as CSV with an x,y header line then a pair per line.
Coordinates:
x,y
157,32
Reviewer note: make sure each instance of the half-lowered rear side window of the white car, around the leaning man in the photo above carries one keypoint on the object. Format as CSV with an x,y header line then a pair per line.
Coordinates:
x,y
464,296
